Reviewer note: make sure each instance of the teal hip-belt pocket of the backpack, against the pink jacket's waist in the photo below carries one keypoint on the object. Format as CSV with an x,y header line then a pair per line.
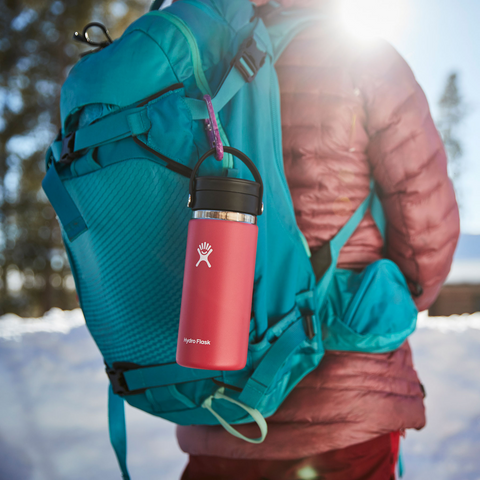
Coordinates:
x,y
370,311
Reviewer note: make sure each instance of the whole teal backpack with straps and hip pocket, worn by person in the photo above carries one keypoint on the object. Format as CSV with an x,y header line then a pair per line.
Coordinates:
x,y
133,119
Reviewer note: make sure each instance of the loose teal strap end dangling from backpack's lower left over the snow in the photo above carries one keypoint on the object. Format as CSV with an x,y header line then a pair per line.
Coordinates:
x,y
118,430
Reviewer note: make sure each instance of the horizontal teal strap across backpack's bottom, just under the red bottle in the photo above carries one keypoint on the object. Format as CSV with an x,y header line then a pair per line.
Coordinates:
x,y
161,375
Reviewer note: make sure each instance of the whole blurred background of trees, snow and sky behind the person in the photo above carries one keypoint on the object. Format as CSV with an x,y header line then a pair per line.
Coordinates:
x,y
53,409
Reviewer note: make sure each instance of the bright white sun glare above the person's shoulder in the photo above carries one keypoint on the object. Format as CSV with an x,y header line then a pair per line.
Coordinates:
x,y
374,18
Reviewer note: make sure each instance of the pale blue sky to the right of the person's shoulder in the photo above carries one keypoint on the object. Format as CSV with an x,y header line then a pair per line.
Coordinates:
x,y
437,37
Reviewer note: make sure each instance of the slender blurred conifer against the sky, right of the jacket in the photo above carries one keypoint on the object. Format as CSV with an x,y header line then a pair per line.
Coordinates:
x,y
452,112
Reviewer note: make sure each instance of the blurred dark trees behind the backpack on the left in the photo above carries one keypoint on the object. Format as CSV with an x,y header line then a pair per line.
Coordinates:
x,y
36,53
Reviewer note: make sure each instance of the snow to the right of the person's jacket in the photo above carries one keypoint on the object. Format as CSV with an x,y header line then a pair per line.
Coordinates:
x,y
447,357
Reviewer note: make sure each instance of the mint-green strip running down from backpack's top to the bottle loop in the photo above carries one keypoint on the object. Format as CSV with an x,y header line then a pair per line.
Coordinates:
x,y
199,74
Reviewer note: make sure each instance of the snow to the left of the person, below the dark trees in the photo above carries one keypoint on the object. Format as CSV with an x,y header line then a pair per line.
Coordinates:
x,y
53,404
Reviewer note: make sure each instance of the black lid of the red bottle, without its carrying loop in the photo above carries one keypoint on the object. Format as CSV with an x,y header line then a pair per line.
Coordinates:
x,y
226,194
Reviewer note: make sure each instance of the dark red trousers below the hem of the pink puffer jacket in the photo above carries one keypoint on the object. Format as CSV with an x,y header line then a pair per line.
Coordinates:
x,y
372,460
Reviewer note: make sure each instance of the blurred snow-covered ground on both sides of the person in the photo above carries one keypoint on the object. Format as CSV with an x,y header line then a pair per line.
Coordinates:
x,y
53,419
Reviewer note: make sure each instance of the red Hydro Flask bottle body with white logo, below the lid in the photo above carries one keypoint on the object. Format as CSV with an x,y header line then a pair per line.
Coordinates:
x,y
217,294
